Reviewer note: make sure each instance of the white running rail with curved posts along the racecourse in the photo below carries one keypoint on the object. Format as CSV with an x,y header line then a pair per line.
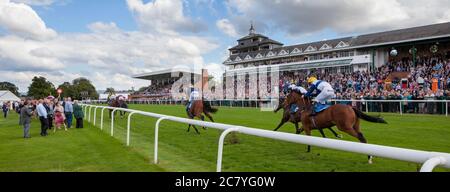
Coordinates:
x,y
429,159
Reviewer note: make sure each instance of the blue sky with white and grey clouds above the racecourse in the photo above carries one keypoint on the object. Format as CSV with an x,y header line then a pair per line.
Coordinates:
x,y
107,41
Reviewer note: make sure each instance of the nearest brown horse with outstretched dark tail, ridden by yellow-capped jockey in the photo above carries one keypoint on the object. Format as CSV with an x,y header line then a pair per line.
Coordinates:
x,y
346,118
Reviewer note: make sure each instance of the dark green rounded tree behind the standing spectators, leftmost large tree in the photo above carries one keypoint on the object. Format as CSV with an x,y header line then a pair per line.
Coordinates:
x,y
40,88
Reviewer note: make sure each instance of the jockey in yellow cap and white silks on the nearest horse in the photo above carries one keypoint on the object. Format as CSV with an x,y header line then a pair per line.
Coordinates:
x,y
323,92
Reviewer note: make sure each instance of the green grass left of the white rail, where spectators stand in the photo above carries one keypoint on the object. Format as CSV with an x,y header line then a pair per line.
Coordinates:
x,y
77,150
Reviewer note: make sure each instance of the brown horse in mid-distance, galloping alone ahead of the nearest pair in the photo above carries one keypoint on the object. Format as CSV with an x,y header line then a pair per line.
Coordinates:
x,y
199,108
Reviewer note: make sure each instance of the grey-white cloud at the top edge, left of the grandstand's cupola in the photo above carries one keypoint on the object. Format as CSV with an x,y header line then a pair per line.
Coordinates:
x,y
163,16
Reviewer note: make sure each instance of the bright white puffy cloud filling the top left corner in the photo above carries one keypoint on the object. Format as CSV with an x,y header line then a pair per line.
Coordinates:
x,y
22,20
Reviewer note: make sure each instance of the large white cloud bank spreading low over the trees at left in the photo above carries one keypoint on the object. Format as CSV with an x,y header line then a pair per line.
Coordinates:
x,y
107,55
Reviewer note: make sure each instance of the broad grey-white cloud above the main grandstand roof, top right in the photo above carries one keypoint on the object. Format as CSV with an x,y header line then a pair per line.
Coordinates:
x,y
297,17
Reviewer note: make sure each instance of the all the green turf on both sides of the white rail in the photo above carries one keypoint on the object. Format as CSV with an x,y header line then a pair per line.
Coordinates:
x,y
91,150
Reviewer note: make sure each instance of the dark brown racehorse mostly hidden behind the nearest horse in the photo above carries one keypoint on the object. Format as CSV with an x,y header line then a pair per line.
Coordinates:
x,y
295,118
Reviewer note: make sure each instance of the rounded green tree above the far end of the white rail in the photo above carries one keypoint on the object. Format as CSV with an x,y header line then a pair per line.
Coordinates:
x,y
83,88
